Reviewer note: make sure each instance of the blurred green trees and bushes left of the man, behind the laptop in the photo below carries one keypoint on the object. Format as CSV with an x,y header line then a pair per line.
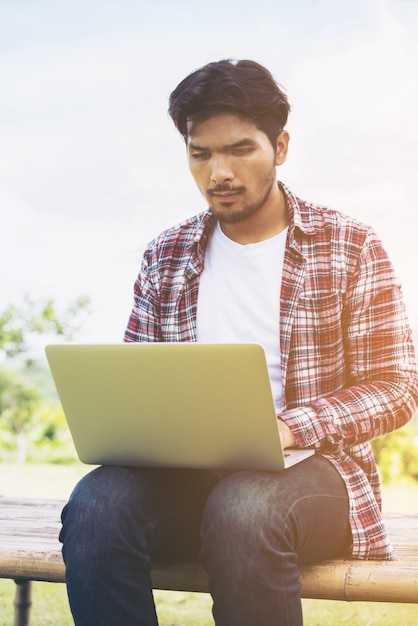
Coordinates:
x,y
24,427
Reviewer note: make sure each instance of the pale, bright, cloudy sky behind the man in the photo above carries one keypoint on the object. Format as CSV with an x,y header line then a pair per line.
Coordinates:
x,y
91,167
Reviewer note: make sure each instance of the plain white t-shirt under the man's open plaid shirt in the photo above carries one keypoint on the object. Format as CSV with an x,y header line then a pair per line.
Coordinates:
x,y
239,297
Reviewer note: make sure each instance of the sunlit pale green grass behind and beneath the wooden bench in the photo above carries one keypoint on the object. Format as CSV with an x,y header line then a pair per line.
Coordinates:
x,y
50,606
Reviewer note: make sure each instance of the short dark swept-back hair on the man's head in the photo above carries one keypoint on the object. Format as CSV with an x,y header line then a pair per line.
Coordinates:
x,y
240,87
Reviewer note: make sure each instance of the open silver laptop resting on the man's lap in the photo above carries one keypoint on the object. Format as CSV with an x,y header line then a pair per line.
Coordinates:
x,y
190,405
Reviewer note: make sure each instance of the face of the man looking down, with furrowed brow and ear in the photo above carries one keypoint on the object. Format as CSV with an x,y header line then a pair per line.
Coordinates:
x,y
234,165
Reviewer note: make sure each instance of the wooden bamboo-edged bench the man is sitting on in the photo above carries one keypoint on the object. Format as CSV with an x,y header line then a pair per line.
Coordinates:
x,y
29,550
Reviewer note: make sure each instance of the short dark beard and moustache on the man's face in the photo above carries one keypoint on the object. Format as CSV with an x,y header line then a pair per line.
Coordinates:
x,y
225,211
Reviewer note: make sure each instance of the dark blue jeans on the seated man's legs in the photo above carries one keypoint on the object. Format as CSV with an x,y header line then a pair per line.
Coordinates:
x,y
251,530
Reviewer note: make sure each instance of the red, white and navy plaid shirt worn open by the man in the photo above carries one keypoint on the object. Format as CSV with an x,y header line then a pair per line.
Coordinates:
x,y
349,369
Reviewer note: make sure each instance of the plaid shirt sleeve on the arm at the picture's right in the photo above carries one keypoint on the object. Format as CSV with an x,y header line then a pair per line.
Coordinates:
x,y
382,387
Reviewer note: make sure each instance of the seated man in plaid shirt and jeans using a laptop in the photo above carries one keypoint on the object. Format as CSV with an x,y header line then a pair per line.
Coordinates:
x,y
318,291
